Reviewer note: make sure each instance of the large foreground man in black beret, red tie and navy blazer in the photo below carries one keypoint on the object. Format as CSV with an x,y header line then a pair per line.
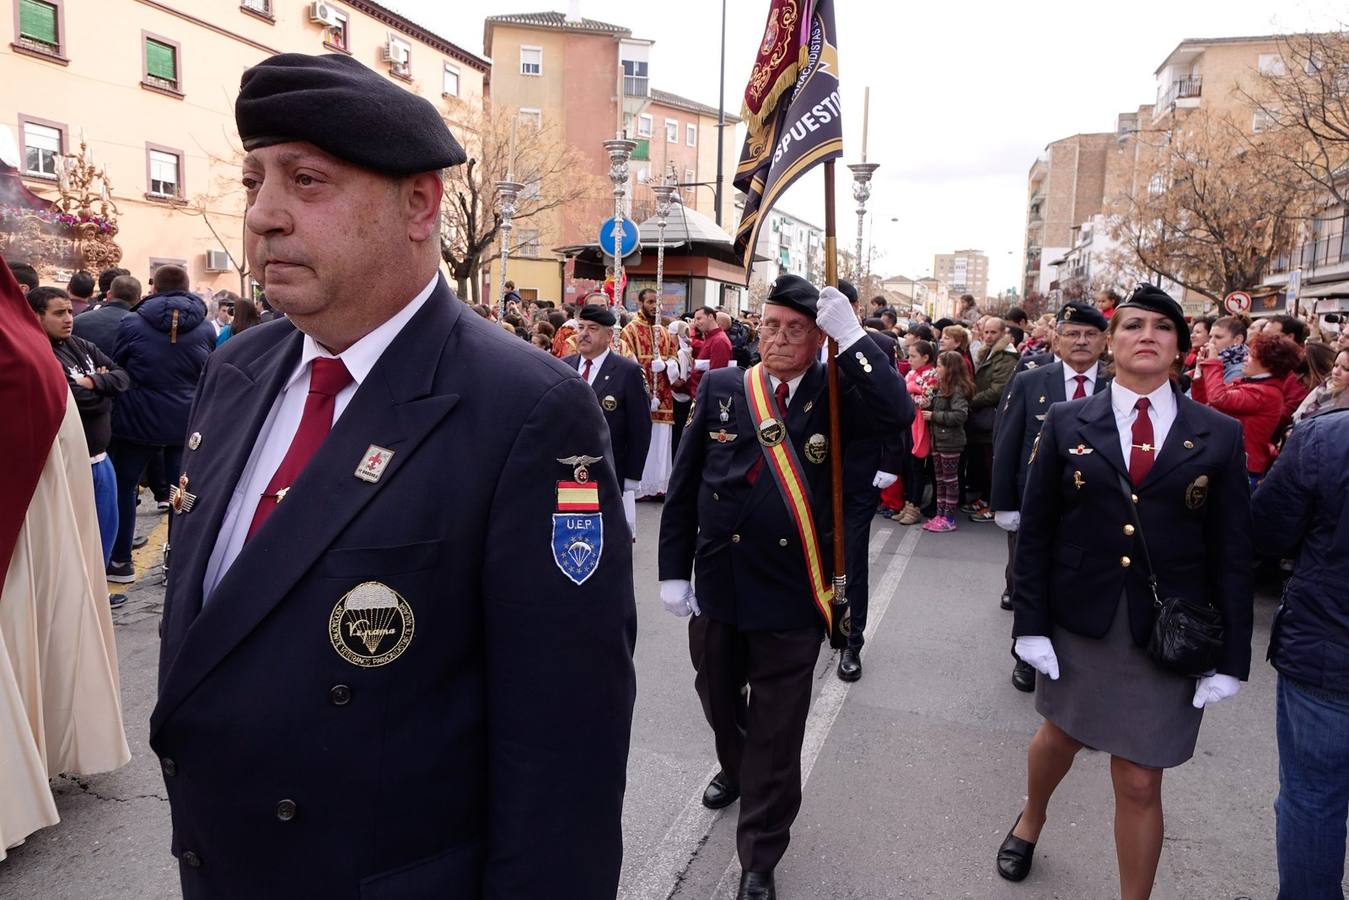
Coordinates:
x,y
397,651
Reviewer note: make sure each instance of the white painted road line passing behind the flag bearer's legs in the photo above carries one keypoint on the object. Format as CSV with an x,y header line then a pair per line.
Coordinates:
x,y
667,864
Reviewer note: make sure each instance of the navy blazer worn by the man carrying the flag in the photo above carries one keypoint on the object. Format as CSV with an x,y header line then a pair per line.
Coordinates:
x,y
739,538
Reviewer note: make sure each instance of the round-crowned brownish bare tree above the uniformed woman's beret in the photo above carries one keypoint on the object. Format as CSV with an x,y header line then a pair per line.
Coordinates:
x,y
1211,211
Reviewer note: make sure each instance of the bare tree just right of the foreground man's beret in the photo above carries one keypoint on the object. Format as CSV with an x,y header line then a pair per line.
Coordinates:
x,y
503,146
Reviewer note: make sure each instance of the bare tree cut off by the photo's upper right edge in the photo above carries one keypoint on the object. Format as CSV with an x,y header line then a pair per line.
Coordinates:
x,y
1305,99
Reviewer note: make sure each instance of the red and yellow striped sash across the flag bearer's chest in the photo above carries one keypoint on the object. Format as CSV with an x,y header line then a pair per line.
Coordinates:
x,y
771,428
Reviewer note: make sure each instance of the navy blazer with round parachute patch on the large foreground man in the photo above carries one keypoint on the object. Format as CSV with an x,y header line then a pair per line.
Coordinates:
x,y
489,760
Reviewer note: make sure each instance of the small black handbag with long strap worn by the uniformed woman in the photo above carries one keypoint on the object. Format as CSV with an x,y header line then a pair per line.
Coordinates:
x,y
1186,636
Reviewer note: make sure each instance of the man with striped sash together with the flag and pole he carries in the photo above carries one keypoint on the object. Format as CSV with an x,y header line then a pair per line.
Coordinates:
x,y
749,509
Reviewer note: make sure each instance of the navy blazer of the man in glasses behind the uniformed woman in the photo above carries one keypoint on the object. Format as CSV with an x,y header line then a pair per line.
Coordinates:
x,y
1030,396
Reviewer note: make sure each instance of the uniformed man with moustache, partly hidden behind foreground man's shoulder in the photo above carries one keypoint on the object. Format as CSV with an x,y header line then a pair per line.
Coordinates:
x,y
623,397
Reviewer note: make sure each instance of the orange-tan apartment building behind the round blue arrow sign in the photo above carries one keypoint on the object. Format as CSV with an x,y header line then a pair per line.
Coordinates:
x,y
593,82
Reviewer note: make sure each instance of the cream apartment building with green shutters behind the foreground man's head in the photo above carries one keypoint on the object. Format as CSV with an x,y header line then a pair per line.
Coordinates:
x,y
150,86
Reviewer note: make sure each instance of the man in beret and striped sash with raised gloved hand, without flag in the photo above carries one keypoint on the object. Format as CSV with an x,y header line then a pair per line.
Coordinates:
x,y
748,513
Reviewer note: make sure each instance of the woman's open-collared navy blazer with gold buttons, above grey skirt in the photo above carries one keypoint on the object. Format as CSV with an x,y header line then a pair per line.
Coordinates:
x,y
1077,554
